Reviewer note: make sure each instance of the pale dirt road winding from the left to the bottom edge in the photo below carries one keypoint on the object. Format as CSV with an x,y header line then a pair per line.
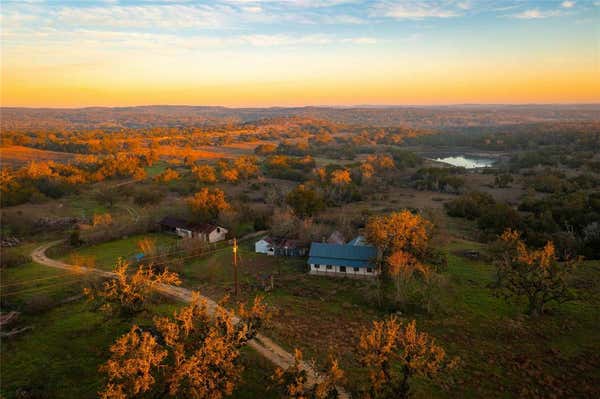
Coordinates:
x,y
262,344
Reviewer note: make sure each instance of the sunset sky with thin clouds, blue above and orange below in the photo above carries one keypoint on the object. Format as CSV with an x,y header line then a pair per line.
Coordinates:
x,y
59,53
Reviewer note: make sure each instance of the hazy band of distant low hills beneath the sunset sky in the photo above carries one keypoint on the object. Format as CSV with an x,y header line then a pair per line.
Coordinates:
x,y
201,116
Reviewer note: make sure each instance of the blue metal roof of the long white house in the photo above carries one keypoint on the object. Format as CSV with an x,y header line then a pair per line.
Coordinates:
x,y
341,255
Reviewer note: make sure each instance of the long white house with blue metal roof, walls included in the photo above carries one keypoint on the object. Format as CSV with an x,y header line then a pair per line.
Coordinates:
x,y
342,259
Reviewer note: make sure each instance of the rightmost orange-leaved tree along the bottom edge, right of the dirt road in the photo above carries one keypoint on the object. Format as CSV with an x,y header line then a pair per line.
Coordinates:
x,y
393,353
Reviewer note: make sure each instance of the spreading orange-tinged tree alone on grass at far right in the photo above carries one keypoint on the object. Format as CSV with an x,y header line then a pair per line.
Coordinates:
x,y
535,275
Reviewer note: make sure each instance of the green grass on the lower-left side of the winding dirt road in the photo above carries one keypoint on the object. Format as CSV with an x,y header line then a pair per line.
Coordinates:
x,y
59,357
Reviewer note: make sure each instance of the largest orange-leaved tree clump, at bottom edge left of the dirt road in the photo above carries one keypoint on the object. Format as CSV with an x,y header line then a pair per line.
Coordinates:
x,y
198,356
